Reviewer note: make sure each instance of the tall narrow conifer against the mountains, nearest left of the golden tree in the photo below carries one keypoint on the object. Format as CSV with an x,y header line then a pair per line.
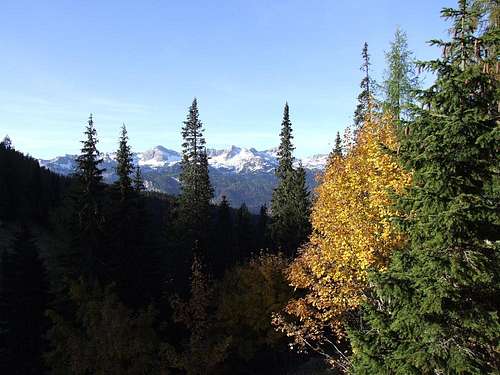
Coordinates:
x,y
290,201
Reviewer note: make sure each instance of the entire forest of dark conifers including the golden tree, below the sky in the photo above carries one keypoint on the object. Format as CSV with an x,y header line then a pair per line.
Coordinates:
x,y
389,265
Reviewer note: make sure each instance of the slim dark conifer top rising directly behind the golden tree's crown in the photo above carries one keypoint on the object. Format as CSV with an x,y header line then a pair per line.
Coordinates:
x,y
365,98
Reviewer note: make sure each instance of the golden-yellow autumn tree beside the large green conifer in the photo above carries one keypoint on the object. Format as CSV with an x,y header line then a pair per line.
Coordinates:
x,y
352,233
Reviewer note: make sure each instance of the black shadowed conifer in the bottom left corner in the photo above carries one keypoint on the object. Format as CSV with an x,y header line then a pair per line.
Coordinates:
x,y
23,300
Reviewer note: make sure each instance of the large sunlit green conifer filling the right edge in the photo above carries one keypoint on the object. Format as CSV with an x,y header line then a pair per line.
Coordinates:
x,y
435,309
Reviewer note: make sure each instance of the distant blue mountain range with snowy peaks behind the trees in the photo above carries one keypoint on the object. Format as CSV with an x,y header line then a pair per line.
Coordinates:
x,y
243,175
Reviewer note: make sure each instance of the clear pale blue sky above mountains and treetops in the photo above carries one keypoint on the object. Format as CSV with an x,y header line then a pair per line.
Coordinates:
x,y
142,62
